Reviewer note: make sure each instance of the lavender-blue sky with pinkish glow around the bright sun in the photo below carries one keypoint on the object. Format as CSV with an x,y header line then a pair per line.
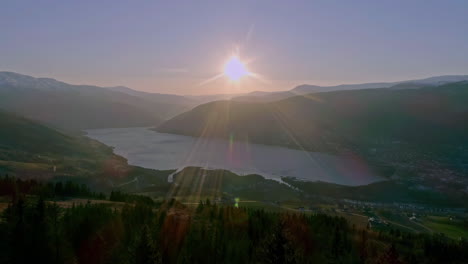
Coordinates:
x,y
176,46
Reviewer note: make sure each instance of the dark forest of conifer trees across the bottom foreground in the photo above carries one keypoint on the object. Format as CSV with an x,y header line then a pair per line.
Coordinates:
x,y
33,230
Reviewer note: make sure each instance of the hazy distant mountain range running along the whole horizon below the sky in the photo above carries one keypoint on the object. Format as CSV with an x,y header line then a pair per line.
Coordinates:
x,y
77,107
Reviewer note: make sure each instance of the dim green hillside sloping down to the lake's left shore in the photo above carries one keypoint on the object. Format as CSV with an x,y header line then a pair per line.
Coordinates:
x,y
32,150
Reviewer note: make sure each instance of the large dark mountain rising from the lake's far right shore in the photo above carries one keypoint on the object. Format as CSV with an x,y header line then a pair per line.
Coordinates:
x,y
417,135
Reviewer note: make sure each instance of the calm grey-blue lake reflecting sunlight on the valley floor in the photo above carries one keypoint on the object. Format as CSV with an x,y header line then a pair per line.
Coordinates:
x,y
150,149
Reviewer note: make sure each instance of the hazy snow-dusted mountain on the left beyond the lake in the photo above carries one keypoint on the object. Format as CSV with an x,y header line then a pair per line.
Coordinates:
x,y
76,107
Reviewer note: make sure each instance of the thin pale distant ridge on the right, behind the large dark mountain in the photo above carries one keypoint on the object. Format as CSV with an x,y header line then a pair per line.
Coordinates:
x,y
259,96
